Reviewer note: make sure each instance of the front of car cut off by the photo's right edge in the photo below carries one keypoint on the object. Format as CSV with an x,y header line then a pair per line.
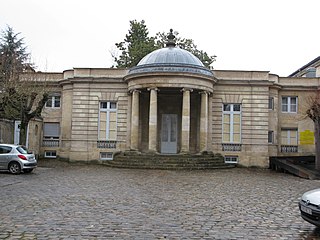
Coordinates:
x,y
309,206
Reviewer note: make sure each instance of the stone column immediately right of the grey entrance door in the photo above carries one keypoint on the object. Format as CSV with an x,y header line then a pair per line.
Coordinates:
x,y
185,128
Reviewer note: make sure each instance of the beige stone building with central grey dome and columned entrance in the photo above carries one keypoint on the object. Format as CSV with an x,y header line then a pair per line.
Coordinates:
x,y
170,104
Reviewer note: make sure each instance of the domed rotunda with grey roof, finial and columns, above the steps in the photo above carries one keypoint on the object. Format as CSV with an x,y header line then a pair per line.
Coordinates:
x,y
170,101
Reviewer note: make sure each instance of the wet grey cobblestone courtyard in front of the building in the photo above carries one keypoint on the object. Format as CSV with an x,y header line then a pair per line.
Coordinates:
x,y
67,201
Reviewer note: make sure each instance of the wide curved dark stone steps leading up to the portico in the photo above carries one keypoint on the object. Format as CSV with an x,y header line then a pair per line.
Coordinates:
x,y
132,159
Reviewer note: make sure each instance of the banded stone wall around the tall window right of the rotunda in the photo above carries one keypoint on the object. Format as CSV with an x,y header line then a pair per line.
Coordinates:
x,y
254,121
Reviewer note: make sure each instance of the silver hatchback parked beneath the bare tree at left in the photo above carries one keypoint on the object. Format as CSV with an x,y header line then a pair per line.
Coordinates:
x,y
16,159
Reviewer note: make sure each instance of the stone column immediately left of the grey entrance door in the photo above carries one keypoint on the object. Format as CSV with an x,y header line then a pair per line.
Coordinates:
x,y
153,116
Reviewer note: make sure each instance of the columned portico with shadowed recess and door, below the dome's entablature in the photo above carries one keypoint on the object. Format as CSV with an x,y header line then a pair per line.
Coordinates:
x,y
169,120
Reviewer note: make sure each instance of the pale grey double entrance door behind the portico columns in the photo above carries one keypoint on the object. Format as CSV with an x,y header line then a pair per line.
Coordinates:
x,y
169,133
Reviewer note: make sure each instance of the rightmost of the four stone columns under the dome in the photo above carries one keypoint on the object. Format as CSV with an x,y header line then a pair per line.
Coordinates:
x,y
204,122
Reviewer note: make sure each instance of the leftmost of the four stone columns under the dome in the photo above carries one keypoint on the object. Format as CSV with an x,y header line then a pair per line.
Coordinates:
x,y
135,120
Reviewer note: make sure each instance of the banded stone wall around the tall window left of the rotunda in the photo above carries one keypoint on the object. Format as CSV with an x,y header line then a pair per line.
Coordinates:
x,y
85,115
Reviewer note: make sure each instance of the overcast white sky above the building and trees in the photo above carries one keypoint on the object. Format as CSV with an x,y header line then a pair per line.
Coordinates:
x,y
278,36
